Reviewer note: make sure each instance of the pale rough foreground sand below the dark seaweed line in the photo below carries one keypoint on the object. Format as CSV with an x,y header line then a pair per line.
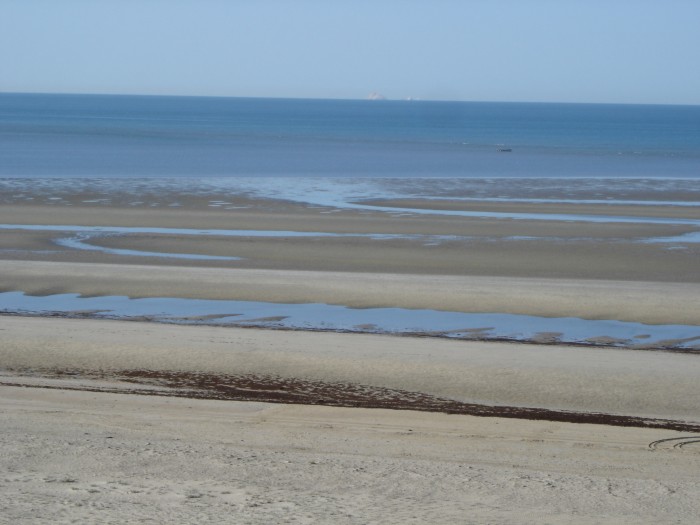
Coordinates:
x,y
105,458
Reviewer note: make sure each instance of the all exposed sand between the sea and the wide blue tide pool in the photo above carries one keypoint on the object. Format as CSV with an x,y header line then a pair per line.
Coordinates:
x,y
465,264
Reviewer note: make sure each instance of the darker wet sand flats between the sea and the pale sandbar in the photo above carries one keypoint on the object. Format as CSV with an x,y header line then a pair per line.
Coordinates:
x,y
413,244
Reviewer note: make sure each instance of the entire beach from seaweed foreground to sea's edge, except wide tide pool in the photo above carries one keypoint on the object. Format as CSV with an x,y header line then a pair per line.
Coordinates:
x,y
262,425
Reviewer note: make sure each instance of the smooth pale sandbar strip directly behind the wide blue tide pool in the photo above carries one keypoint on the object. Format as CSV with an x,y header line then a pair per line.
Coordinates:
x,y
647,302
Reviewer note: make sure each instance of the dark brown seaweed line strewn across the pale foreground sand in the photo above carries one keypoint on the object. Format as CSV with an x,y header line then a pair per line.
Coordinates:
x,y
296,391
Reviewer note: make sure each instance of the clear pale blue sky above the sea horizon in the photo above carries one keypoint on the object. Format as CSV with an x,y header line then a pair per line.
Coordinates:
x,y
636,51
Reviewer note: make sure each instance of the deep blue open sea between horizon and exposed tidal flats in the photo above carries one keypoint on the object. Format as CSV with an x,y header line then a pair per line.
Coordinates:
x,y
140,136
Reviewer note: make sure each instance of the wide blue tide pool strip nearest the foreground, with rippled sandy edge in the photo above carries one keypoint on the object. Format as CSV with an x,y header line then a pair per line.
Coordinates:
x,y
325,317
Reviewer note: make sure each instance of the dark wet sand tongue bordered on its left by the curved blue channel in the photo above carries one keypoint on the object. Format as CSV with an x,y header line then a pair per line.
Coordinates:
x,y
513,257
